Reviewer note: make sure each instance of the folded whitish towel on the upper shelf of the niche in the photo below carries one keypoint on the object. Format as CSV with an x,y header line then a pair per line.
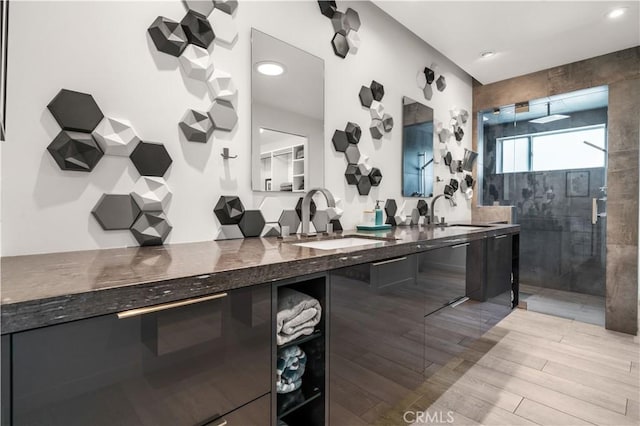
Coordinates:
x,y
298,314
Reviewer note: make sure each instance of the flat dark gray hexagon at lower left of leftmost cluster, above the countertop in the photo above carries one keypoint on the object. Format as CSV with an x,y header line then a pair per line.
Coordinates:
x,y
116,211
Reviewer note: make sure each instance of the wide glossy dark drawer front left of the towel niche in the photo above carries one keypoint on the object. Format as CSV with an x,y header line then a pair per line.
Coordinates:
x,y
180,366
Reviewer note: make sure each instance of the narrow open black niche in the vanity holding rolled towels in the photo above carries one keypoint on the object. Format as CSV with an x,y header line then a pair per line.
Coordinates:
x,y
308,404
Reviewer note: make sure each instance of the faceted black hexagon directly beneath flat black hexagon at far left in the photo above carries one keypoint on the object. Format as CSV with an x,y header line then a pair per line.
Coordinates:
x,y
75,151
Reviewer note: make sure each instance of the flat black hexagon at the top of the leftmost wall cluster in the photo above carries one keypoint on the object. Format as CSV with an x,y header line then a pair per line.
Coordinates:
x,y
75,111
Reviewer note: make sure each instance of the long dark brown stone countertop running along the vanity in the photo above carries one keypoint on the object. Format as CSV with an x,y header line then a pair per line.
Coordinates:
x,y
46,289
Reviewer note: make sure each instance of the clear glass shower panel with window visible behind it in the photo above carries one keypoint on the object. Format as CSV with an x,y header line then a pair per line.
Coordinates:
x,y
548,159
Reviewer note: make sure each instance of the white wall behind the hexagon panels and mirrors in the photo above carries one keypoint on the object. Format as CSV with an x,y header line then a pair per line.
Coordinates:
x,y
102,48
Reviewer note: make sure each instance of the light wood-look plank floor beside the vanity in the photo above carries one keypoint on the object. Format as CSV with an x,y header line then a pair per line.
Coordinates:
x,y
531,369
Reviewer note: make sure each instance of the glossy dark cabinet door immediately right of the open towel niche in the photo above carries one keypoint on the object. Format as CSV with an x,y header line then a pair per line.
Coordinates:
x,y
376,346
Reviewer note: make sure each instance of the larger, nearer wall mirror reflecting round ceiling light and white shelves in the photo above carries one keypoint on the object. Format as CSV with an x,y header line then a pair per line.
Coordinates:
x,y
287,116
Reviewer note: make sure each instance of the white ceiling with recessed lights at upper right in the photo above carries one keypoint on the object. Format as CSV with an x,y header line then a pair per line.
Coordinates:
x,y
527,36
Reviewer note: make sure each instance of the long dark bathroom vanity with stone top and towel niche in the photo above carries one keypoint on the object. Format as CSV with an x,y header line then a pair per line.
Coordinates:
x,y
184,334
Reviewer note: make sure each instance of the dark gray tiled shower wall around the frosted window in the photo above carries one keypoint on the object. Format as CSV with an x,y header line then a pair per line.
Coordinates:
x,y
560,248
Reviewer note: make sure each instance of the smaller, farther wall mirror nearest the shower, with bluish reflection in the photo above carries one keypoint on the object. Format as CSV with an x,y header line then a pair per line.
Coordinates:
x,y
417,149
